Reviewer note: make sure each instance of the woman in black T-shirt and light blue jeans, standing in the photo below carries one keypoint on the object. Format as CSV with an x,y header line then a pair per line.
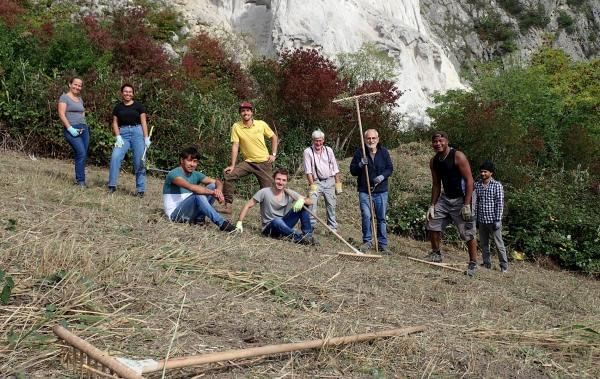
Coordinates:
x,y
131,132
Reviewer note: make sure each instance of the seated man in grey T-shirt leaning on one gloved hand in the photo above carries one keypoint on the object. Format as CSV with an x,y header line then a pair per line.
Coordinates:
x,y
280,211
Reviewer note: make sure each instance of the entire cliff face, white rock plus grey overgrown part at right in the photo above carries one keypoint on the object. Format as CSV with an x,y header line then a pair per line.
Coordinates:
x,y
431,40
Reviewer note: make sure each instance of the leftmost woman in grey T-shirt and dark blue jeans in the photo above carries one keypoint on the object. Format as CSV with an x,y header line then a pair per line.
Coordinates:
x,y
71,112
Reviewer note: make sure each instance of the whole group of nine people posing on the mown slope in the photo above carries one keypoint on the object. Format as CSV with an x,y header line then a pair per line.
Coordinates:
x,y
189,196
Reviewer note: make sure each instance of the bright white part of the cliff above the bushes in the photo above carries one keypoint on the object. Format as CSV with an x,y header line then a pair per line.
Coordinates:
x,y
341,26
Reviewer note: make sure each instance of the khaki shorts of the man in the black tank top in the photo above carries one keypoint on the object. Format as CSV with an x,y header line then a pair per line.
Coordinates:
x,y
447,211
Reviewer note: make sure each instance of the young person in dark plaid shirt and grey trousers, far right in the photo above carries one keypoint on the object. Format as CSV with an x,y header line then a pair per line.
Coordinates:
x,y
490,202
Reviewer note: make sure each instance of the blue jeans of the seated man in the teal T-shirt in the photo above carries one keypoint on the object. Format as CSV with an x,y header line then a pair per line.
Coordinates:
x,y
195,207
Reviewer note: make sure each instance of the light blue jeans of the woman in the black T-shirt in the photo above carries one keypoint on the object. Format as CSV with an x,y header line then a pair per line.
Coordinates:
x,y
133,138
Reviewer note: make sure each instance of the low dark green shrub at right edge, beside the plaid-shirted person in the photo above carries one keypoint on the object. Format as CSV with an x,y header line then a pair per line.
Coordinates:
x,y
551,216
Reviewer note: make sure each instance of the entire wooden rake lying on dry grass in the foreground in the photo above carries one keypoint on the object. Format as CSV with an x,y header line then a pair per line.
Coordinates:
x,y
86,360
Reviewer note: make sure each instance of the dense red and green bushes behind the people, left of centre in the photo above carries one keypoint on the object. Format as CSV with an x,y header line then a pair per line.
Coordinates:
x,y
192,100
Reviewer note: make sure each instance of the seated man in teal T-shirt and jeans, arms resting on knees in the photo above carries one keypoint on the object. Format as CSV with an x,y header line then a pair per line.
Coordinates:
x,y
185,200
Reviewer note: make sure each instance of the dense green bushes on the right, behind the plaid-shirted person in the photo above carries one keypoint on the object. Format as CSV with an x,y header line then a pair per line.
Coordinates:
x,y
540,125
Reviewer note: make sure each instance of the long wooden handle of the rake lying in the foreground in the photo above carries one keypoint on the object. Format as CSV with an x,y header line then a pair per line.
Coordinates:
x,y
282,348
